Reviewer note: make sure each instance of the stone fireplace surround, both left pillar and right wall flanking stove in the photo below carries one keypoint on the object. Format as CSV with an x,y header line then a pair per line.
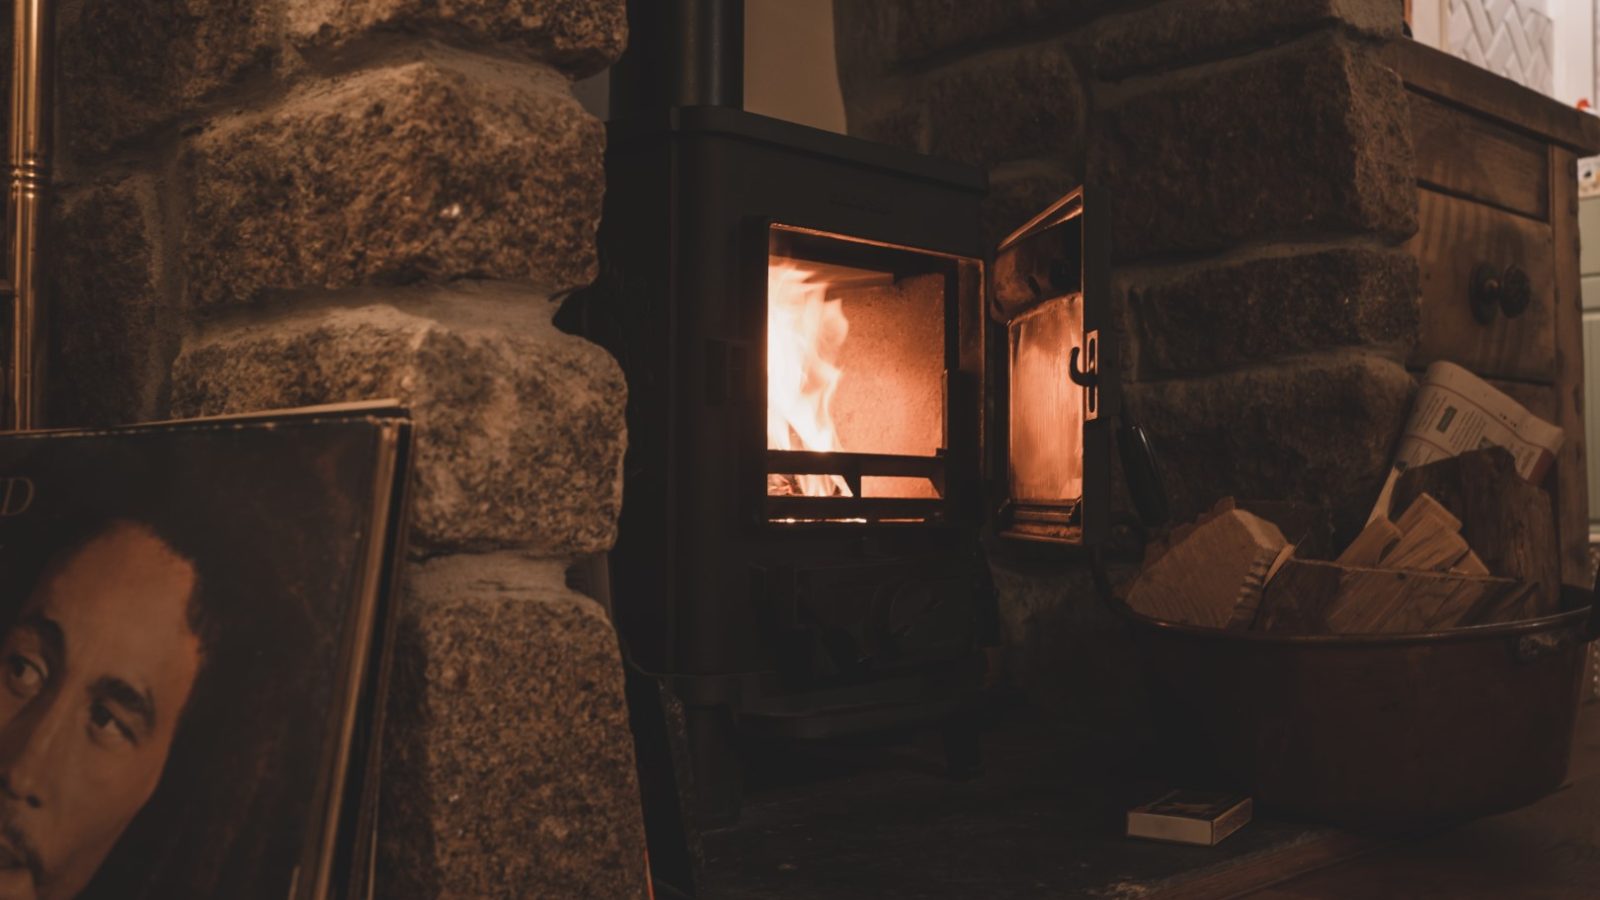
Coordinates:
x,y
282,203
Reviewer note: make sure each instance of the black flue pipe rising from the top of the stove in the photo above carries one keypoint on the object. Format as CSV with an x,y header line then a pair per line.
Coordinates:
x,y
681,54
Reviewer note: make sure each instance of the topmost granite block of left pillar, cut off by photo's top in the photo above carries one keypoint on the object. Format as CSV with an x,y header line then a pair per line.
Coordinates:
x,y
578,38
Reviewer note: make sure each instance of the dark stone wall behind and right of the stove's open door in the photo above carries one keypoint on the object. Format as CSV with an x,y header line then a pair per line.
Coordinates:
x,y
1258,161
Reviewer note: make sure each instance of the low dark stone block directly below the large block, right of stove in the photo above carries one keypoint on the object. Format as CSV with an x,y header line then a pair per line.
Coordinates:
x,y
1218,316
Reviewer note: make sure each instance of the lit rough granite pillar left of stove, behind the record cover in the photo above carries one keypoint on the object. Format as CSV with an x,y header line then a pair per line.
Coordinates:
x,y
284,203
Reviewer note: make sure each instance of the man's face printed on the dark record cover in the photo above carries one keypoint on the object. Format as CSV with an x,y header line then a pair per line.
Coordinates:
x,y
97,673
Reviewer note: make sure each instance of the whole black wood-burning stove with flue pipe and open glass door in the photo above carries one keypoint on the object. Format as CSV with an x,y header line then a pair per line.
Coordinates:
x,y
818,419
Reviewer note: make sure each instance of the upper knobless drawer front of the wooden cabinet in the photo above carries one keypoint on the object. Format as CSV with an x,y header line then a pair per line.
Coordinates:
x,y
1466,155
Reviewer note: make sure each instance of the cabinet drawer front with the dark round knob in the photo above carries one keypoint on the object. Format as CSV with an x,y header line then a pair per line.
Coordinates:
x,y
1454,238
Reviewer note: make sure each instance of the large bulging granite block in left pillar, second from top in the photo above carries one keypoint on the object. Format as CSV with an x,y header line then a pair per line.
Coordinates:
x,y
430,171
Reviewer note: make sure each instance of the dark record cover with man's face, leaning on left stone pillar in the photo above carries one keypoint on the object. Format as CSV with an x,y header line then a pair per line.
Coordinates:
x,y
193,656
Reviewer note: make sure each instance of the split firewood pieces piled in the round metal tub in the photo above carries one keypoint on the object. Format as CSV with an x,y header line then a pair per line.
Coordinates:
x,y
1473,545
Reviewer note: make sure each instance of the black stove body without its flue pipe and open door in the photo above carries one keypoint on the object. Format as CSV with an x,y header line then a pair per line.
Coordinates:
x,y
798,614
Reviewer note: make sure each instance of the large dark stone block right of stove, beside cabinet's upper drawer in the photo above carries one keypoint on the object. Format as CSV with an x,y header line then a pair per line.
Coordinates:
x,y
1306,140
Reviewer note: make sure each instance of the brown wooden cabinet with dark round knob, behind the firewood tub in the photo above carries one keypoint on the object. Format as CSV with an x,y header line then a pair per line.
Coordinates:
x,y
1497,177
